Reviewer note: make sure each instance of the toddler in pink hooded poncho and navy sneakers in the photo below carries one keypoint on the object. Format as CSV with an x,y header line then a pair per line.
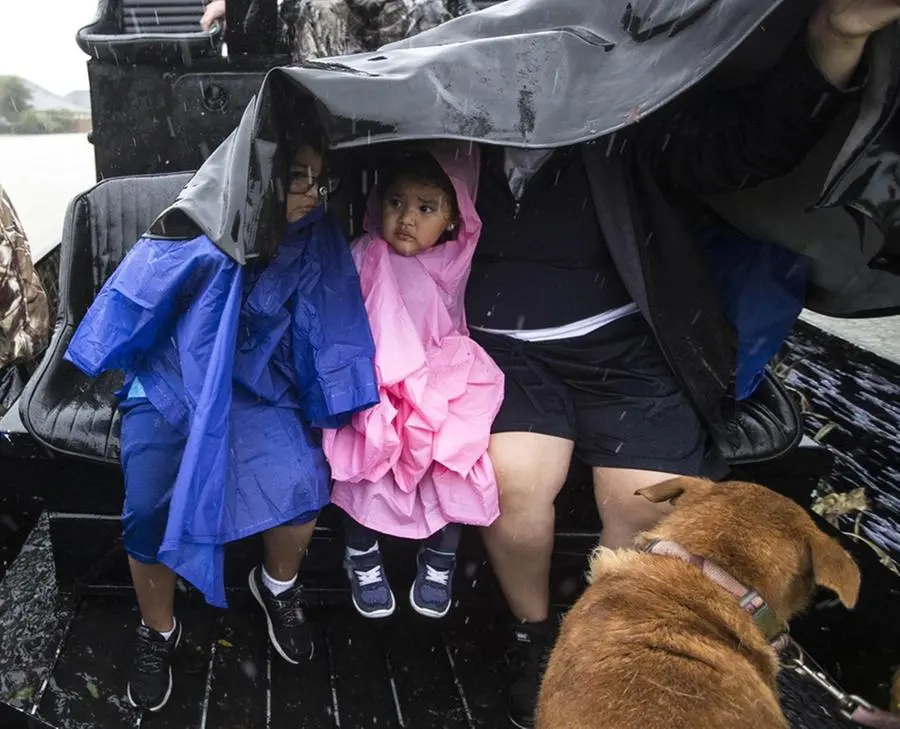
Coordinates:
x,y
416,464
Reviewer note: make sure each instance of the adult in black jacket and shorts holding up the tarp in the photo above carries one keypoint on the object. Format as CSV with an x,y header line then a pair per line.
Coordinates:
x,y
589,292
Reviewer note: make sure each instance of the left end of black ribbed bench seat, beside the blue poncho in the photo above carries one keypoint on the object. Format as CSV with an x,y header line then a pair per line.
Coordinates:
x,y
62,408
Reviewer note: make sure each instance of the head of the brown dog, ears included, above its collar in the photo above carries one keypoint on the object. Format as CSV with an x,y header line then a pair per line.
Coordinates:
x,y
763,539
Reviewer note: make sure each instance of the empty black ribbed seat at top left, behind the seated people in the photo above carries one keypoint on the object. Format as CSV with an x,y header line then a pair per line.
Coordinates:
x,y
149,31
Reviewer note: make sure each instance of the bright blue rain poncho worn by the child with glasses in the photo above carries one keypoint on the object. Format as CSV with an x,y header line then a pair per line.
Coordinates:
x,y
243,361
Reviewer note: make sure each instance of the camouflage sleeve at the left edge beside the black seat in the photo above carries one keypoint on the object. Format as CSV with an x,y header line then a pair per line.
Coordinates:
x,y
24,316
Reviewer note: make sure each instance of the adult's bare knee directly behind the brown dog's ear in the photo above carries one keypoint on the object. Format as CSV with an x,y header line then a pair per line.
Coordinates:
x,y
623,514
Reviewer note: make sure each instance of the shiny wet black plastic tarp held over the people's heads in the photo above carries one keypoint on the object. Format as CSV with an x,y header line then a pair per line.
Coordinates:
x,y
536,73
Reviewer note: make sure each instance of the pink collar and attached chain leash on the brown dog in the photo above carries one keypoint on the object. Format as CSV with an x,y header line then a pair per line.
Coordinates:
x,y
792,656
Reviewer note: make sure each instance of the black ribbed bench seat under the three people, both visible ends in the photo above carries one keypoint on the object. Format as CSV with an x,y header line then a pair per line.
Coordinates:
x,y
75,415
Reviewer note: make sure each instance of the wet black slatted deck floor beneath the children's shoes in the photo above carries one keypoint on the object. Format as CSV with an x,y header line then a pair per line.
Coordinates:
x,y
404,673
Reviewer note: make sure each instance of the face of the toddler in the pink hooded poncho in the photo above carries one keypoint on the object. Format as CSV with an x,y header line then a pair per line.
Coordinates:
x,y
414,216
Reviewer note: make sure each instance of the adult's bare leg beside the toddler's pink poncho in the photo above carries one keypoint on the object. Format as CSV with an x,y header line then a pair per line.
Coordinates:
x,y
531,469
